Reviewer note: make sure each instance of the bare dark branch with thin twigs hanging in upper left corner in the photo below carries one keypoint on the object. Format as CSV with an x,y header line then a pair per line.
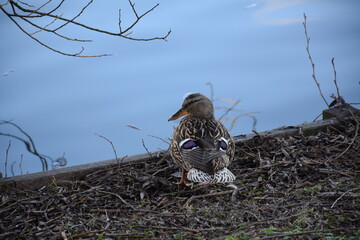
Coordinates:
x,y
19,10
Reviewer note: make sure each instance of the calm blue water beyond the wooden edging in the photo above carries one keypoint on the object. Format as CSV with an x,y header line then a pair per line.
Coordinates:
x,y
252,51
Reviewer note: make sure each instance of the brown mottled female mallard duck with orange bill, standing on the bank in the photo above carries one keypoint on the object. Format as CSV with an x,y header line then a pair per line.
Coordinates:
x,y
200,144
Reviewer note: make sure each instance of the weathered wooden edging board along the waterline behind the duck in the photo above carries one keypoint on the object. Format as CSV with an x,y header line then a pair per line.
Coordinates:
x,y
37,180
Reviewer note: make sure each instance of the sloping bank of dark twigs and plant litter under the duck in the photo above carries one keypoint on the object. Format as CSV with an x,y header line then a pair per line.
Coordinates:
x,y
300,187
